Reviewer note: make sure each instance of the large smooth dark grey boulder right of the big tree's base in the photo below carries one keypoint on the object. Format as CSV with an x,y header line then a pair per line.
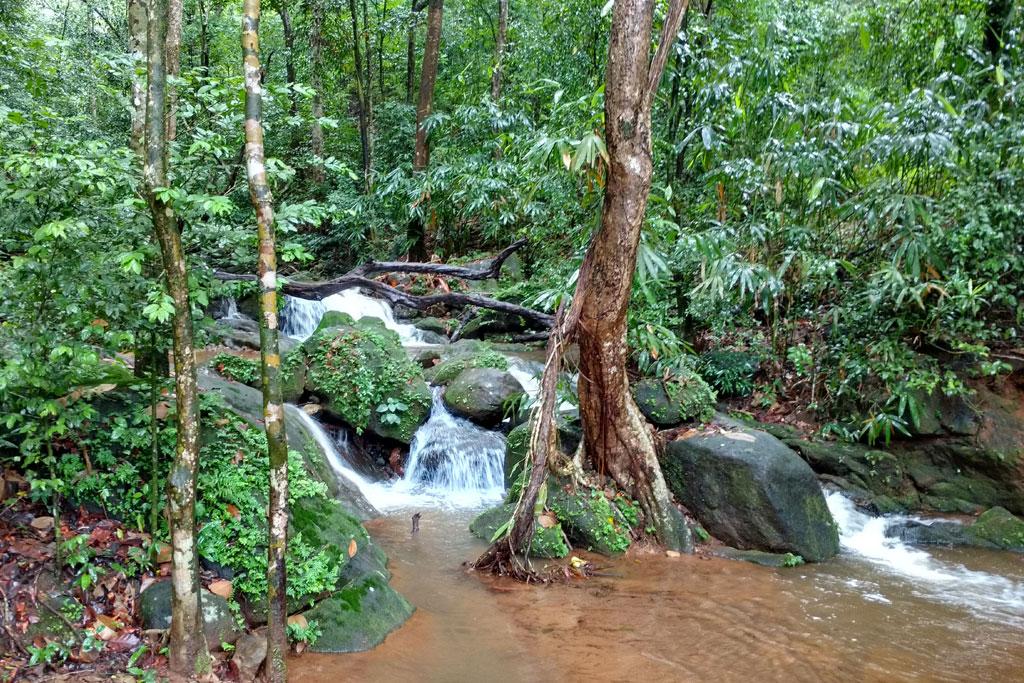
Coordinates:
x,y
752,492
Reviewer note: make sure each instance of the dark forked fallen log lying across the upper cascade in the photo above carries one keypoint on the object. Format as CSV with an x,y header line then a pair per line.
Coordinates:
x,y
359,277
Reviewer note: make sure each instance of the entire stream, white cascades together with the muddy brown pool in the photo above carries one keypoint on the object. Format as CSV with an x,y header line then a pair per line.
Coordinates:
x,y
882,611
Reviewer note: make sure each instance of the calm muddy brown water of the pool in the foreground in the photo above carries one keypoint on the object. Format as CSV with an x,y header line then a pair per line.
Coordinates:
x,y
663,619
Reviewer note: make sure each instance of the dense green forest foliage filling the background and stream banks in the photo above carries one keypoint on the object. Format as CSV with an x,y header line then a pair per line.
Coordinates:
x,y
835,230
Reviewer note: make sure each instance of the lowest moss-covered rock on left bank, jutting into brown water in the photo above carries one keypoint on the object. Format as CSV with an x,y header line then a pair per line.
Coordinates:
x,y
360,616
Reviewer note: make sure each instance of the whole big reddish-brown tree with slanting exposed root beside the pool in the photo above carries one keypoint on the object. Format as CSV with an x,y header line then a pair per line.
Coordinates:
x,y
618,442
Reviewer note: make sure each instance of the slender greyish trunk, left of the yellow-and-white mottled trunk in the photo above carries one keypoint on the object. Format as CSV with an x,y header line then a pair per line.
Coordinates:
x,y
189,655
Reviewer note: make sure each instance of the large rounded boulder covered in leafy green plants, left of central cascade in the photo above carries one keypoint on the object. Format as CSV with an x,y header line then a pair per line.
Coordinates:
x,y
367,380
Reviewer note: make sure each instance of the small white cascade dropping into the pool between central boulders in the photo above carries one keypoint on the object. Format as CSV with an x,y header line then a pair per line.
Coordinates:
x,y
455,457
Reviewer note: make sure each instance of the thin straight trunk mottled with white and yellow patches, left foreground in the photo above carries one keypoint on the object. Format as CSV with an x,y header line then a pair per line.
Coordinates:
x,y
274,410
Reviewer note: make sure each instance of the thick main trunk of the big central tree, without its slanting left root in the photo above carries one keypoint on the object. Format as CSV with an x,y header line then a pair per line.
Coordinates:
x,y
618,440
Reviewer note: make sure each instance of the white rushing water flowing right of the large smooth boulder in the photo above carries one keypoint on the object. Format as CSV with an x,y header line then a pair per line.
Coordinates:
x,y
986,595
